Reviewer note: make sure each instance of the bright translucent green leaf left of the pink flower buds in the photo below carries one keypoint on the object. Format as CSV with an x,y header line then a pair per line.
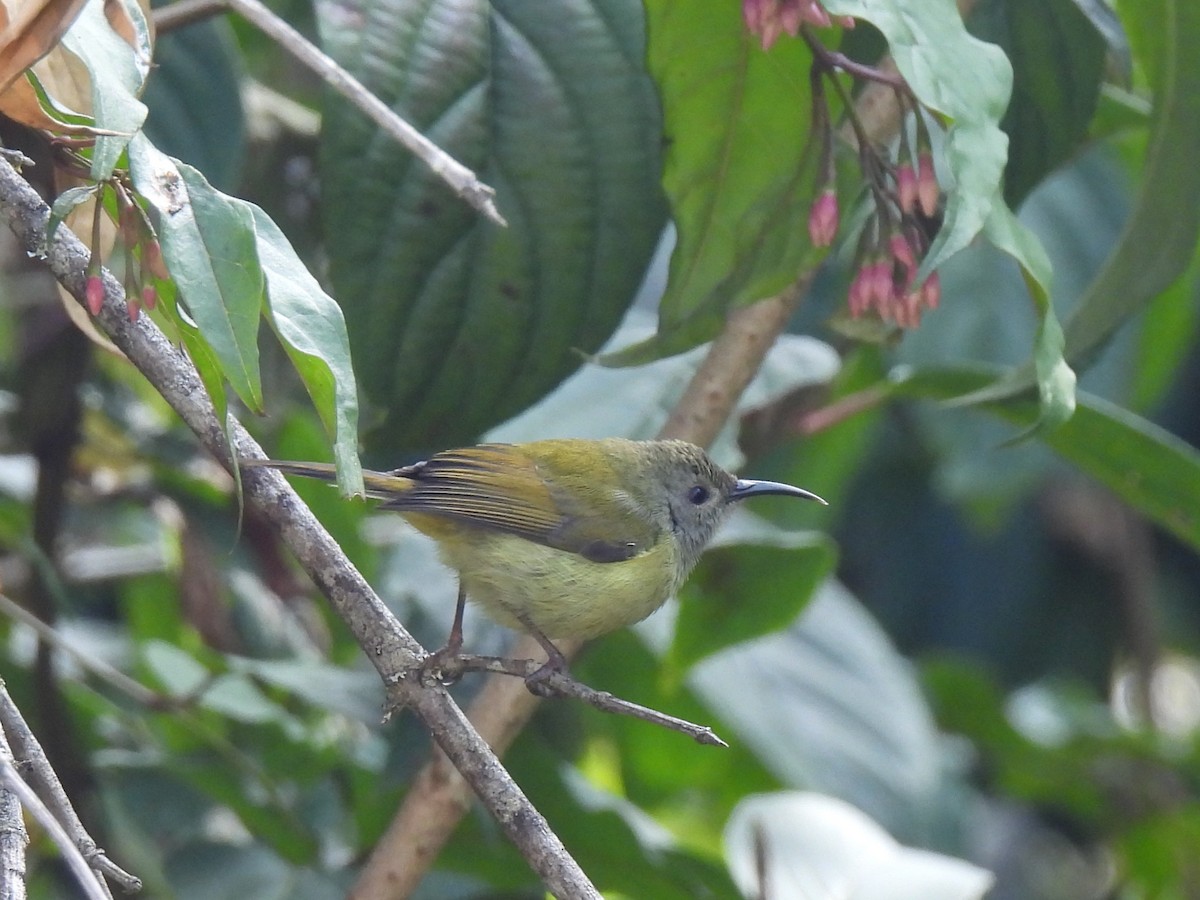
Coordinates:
x,y
736,171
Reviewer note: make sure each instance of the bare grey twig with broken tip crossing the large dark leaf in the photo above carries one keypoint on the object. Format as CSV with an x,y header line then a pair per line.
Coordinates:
x,y
461,181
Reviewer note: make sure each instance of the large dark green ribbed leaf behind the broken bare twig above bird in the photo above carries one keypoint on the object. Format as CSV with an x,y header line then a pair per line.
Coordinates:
x,y
455,323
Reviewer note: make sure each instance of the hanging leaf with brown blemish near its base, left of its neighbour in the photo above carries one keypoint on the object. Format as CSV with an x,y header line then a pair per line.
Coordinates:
x,y
209,244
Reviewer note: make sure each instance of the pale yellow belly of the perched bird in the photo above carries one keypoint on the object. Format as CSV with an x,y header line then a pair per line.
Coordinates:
x,y
562,595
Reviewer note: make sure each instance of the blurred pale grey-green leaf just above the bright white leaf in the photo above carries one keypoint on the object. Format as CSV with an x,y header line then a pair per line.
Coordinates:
x,y
831,706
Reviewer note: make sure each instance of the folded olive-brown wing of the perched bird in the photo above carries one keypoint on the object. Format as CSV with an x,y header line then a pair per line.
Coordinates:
x,y
501,488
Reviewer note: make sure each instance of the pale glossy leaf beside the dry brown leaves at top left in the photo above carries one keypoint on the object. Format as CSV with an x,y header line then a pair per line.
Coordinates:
x,y
118,73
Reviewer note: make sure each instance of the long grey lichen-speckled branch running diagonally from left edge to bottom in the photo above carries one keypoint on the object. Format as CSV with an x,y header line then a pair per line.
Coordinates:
x,y
388,646
